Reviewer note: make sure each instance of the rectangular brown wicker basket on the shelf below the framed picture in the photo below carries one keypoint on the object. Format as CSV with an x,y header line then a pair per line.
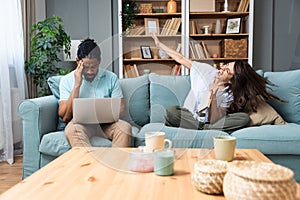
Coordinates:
x,y
233,48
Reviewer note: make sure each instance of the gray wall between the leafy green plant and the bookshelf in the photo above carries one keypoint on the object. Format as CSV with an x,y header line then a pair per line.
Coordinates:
x,y
86,18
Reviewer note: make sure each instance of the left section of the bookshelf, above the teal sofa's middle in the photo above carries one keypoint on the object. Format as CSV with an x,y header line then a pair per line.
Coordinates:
x,y
169,31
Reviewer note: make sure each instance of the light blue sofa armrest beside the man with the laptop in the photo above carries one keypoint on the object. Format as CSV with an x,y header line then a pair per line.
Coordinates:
x,y
39,117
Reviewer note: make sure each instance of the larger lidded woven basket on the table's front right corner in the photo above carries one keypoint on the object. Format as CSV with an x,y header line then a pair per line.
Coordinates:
x,y
255,180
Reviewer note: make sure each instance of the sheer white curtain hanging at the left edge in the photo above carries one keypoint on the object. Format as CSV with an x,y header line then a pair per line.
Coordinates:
x,y
12,77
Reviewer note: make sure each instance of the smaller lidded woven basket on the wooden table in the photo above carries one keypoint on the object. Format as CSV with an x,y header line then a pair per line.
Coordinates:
x,y
208,176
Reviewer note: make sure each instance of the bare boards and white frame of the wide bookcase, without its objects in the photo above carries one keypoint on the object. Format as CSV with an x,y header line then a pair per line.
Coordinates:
x,y
186,36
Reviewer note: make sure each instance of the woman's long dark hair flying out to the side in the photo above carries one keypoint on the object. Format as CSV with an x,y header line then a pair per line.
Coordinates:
x,y
248,88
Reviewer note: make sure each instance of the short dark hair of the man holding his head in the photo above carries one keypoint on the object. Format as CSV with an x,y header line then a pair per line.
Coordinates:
x,y
88,48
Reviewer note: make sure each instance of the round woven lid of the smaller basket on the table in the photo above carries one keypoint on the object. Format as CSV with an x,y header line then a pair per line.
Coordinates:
x,y
211,166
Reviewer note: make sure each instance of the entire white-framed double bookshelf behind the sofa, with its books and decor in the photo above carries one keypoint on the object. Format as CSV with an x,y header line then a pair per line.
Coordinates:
x,y
185,29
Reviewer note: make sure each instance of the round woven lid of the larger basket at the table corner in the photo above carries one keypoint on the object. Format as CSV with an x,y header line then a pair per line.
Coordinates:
x,y
260,171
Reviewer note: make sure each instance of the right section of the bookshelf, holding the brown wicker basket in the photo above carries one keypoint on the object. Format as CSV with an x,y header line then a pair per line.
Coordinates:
x,y
223,46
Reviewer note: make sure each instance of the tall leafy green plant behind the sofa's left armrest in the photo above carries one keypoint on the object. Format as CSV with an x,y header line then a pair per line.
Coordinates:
x,y
48,38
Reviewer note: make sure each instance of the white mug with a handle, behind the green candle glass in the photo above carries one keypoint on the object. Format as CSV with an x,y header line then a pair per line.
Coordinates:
x,y
156,141
